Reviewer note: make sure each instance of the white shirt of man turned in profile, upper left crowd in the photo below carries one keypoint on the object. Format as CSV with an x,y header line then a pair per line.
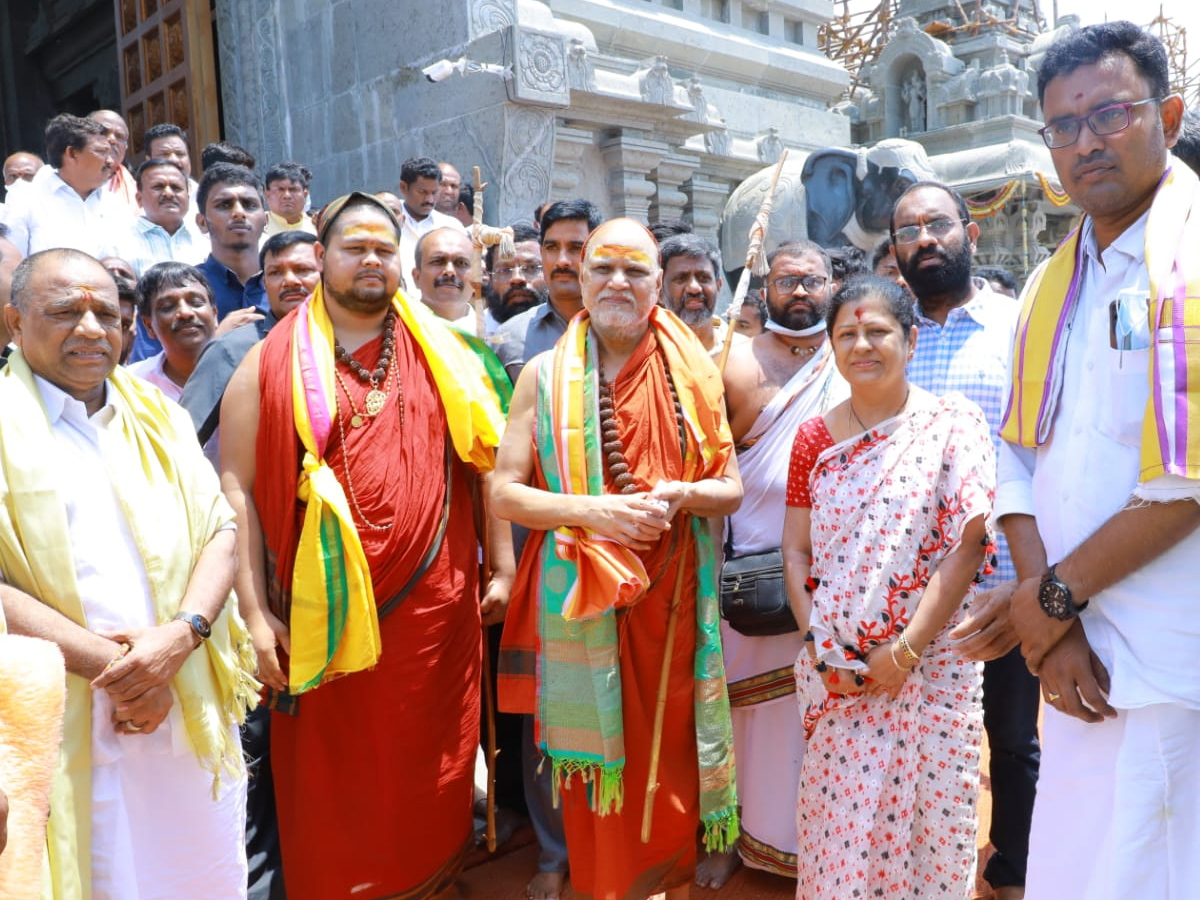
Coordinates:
x,y
51,214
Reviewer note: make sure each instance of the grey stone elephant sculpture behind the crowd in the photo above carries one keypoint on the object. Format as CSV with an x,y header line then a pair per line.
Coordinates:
x,y
833,197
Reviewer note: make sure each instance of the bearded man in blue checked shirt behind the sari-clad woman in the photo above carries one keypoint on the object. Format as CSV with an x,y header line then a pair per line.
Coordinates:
x,y
964,344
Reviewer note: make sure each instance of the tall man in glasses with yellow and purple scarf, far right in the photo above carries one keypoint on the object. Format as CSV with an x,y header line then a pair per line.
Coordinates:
x,y
1100,477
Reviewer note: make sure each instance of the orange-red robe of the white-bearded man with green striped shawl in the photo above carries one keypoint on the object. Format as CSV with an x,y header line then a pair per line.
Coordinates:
x,y
608,859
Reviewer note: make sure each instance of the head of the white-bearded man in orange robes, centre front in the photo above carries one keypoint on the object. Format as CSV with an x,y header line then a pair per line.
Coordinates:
x,y
621,279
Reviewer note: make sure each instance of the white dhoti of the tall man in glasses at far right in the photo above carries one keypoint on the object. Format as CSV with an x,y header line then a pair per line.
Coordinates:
x,y
1118,813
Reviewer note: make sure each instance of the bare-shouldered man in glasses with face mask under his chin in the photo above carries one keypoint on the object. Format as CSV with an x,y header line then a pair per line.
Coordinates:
x,y
773,383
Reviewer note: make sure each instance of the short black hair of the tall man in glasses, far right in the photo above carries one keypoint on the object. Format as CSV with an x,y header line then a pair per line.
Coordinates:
x,y
1094,44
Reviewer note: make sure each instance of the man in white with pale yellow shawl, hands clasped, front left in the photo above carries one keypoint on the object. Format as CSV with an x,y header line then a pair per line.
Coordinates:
x,y
155,731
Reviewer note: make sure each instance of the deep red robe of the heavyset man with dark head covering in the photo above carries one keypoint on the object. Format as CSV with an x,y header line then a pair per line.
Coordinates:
x,y
374,778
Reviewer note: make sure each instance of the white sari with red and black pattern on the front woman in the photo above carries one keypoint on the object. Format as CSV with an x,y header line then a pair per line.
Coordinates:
x,y
889,789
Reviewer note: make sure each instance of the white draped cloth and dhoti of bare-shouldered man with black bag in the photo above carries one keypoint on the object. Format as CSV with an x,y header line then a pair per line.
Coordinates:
x,y
769,735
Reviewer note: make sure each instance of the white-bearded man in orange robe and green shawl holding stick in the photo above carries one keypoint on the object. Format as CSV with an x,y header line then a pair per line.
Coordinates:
x,y
616,452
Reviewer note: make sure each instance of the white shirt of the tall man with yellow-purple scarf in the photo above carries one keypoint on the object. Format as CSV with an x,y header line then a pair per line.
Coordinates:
x,y
1144,627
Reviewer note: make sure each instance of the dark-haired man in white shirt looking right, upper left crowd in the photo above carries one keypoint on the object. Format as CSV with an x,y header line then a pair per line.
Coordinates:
x,y
67,205
